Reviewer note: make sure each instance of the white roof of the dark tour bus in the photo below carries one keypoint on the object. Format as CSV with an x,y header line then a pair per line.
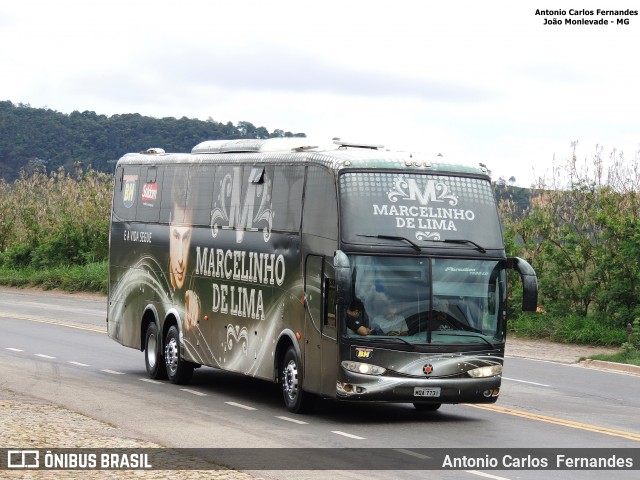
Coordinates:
x,y
336,154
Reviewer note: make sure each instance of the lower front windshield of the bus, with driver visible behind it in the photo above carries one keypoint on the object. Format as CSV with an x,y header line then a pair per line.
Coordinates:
x,y
427,300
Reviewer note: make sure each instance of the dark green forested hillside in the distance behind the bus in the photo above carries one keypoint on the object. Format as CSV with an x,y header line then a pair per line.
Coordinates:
x,y
31,137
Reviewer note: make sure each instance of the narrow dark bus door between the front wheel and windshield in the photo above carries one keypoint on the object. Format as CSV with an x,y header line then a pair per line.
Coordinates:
x,y
313,323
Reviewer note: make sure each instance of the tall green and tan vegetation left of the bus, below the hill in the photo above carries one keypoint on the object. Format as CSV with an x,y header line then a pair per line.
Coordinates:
x,y
54,230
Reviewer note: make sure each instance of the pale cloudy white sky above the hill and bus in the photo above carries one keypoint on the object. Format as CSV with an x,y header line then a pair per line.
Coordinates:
x,y
477,82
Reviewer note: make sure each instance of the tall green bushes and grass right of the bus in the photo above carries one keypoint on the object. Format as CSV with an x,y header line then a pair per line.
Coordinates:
x,y
582,235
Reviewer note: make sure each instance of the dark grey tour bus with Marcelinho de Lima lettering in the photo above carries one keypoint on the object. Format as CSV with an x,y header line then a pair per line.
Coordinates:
x,y
344,271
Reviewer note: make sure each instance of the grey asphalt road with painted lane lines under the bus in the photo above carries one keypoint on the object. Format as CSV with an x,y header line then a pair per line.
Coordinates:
x,y
55,347
